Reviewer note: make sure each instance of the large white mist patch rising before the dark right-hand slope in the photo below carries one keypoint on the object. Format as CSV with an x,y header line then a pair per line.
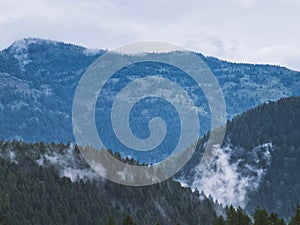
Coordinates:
x,y
233,174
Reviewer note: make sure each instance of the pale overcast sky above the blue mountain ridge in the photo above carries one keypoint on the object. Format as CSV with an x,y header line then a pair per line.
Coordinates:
x,y
261,31
